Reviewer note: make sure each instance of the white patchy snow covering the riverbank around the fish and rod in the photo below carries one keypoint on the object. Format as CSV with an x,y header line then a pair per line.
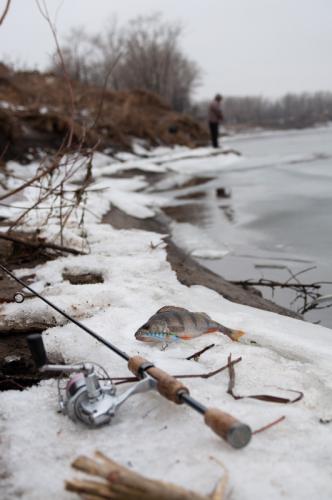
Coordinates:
x,y
291,460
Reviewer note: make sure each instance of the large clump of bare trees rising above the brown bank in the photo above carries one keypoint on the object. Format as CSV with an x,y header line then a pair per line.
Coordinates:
x,y
151,59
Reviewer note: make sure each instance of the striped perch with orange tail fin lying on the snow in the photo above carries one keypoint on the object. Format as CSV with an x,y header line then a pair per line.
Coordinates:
x,y
172,324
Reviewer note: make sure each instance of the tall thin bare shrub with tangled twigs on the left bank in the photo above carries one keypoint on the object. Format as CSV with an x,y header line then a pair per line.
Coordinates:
x,y
51,177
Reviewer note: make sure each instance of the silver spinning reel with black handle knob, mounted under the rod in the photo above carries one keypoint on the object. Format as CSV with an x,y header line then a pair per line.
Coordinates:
x,y
88,395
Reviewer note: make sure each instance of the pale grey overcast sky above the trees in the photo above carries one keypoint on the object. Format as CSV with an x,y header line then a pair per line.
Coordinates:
x,y
254,47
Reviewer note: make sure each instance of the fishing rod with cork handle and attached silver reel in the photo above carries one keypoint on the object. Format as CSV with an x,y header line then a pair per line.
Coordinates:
x,y
86,399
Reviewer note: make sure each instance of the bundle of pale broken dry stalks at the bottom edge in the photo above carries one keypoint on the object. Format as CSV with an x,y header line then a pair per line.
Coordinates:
x,y
125,484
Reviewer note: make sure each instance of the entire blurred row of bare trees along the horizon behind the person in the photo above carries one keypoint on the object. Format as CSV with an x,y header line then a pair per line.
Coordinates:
x,y
146,54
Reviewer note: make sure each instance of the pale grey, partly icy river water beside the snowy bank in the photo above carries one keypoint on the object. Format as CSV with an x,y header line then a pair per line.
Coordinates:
x,y
275,215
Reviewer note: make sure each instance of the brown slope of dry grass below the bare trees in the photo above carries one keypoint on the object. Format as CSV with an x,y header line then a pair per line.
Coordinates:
x,y
39,116
